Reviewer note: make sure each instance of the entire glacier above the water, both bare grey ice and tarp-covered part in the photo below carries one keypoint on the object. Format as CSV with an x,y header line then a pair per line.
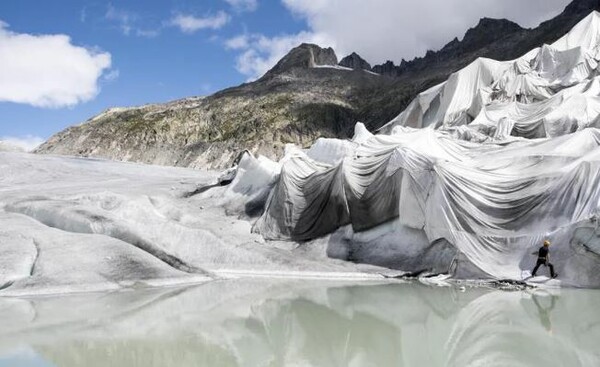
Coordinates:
x,y
465,183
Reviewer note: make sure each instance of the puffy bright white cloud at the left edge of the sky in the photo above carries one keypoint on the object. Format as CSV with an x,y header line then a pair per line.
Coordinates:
x,y
48,70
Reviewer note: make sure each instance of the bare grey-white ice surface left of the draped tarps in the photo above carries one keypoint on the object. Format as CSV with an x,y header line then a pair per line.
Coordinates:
x,y
72,224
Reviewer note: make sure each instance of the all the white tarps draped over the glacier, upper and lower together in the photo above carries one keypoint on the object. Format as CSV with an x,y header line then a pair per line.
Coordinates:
x,y
490,163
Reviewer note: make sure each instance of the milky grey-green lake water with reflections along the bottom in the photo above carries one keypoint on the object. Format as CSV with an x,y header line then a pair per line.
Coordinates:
x,y
299,323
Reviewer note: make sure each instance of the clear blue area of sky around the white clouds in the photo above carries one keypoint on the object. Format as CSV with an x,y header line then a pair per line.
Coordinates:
x,y
157,67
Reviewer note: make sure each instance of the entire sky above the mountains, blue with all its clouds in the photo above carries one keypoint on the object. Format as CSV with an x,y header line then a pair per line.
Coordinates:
x,y
125,52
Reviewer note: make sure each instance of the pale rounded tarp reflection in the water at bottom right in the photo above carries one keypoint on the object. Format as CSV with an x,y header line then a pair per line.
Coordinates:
x,y
496,330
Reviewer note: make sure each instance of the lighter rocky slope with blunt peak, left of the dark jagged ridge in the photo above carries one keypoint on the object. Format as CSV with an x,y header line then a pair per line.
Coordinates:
x,y
295,102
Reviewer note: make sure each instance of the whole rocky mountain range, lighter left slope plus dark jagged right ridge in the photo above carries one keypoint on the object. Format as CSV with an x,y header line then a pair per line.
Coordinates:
x,y
306,95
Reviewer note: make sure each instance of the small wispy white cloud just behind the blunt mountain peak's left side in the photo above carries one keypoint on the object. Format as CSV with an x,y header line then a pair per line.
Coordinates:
x,y
260,53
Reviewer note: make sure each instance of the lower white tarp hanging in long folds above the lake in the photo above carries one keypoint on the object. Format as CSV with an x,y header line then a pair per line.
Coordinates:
x,y
493,202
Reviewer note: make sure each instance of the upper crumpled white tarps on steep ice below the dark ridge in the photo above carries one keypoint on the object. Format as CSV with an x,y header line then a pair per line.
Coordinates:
x,y
550,91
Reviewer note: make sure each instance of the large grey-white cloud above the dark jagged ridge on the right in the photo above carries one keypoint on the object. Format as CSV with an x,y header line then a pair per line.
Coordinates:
x,y
392,30
